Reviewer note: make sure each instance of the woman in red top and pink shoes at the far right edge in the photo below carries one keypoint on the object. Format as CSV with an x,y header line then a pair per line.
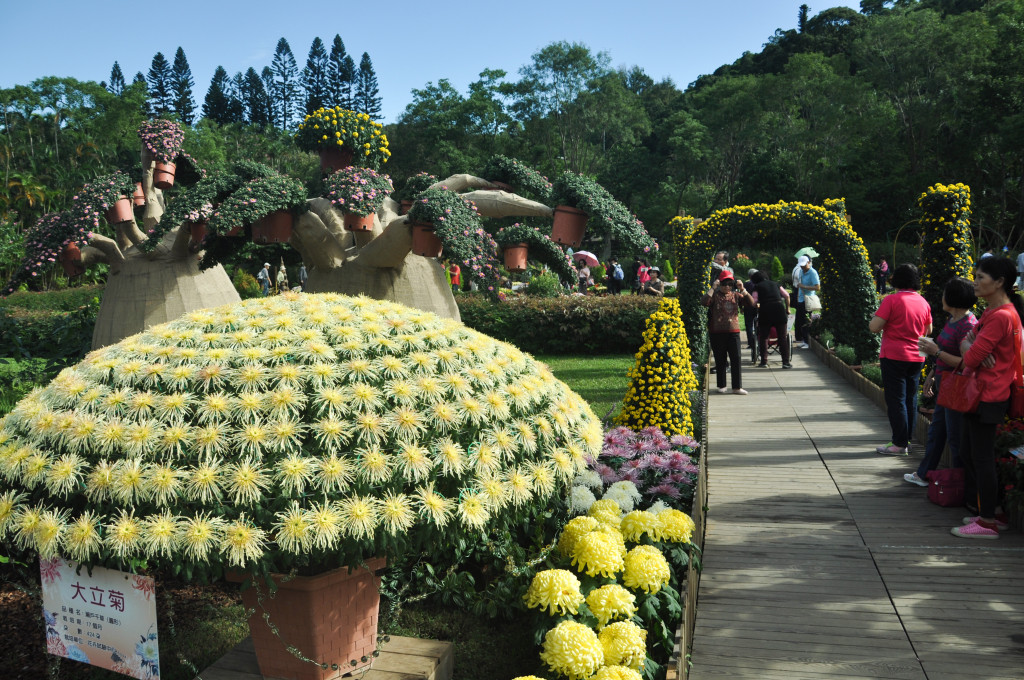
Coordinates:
x,y
998,335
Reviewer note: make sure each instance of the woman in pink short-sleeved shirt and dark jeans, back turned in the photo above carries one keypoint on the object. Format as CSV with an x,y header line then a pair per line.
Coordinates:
x,y
902,319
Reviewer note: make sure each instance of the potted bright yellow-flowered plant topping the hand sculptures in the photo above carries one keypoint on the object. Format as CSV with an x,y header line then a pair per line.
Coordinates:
x,y
344,138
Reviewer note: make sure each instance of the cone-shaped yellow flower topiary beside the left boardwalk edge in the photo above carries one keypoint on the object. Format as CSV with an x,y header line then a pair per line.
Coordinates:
x,y
663,377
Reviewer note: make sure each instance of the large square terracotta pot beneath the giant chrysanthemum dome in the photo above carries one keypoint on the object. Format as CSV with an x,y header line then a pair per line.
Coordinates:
x,y
330,618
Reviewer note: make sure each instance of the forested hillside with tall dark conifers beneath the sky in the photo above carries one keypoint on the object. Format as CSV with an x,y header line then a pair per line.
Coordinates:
x,y
872,106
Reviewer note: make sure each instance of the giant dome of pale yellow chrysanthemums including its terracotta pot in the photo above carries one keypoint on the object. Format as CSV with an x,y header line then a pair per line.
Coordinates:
x,y
285,439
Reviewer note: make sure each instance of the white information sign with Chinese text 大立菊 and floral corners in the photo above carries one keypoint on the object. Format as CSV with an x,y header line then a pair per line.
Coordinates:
x,y
107,619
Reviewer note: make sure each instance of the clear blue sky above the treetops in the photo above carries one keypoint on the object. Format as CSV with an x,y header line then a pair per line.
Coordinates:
x,y
410,44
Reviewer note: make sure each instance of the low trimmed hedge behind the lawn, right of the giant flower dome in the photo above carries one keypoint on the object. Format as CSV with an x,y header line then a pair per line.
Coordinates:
x,y
568,325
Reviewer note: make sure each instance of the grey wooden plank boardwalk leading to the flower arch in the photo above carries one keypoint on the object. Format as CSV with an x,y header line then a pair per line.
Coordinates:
x,y
822,563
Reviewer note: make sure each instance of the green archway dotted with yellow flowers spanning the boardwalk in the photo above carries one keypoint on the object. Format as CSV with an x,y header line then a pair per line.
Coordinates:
x,y
848,297
